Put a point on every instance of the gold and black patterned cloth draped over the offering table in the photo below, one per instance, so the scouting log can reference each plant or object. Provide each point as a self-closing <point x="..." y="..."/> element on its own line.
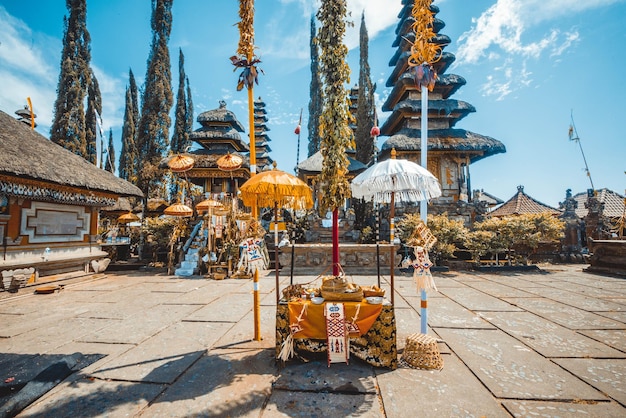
<point x="373" y="340"/>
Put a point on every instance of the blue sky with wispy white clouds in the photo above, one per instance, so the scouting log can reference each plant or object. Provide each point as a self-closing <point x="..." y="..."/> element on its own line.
<point x="529" y="65"/>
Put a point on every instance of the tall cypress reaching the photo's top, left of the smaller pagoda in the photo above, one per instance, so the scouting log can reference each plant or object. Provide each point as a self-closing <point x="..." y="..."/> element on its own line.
<point x="154" y="122"/>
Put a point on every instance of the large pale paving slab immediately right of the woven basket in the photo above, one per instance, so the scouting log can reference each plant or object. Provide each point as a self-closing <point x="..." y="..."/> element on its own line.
<point x="511" y="370"/>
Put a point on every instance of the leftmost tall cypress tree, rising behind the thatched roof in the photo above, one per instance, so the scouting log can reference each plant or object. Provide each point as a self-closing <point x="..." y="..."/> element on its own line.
<point x="68" y="125"/>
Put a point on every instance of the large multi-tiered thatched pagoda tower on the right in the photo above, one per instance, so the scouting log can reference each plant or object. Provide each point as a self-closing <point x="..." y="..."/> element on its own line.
<point x="450" y="150"/>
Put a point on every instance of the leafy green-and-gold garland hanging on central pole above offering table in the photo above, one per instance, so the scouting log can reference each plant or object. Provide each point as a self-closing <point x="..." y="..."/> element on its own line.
<point x="334" y="129"/>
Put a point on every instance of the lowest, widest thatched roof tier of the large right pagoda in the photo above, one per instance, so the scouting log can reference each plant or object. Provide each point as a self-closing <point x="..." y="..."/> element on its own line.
<point x="460" y="140"/>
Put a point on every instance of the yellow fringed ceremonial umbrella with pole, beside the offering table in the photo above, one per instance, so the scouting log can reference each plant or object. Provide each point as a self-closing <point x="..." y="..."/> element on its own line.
<point x="274" y="188"/>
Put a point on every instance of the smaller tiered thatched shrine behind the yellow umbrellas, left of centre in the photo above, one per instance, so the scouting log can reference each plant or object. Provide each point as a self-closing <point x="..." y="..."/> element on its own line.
<point x="218" y="136"/>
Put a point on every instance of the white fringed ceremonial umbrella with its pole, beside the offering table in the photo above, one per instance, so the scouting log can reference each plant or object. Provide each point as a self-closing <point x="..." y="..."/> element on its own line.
<point x="392" y="179"/>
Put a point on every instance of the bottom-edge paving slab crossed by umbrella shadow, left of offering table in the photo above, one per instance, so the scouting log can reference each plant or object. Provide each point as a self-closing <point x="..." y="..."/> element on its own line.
<point x="224" y="383"/>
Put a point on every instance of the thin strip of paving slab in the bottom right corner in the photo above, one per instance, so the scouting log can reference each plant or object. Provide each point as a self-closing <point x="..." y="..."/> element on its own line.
<point x="563" y="409"/>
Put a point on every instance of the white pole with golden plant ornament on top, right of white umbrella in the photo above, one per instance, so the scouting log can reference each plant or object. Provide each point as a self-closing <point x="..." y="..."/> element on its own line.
<point x="423" y="54"/>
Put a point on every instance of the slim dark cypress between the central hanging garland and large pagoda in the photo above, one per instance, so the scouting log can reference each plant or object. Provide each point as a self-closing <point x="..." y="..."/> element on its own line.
<point x="365" y="103"/>
